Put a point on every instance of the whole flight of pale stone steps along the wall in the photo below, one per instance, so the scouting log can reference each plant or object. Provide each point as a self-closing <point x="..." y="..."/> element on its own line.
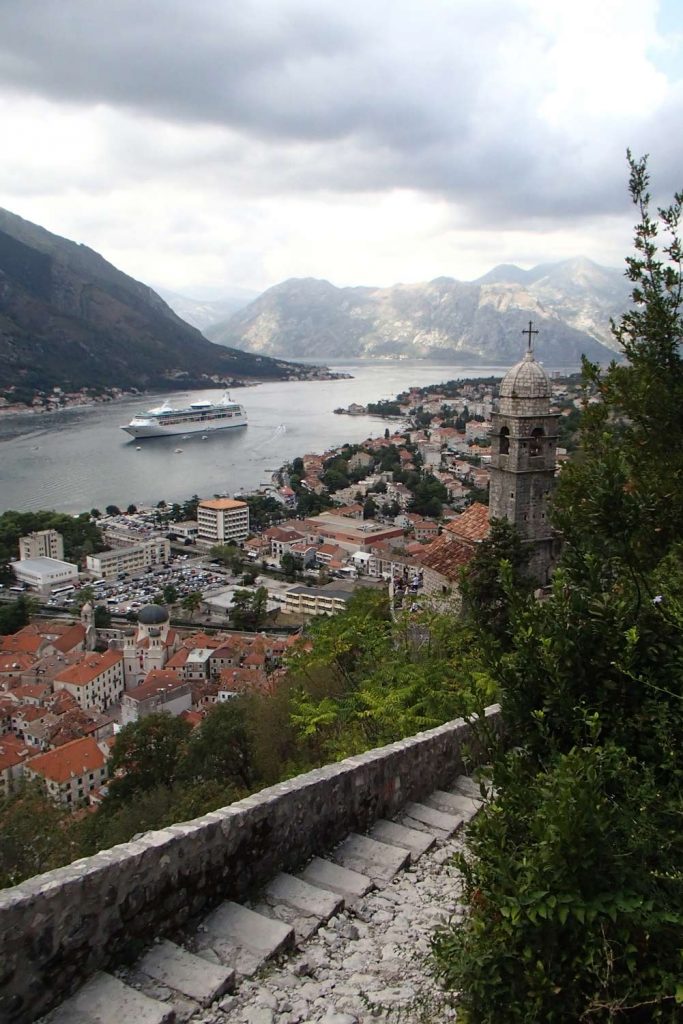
<point x="172" y="984"/>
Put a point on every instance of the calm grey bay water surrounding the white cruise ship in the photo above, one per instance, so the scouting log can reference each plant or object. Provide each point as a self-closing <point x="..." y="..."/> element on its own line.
<point x="79" y="459"/>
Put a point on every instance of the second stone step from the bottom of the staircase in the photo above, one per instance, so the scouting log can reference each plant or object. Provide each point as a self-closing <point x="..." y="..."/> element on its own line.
<point x="184" y="972"/>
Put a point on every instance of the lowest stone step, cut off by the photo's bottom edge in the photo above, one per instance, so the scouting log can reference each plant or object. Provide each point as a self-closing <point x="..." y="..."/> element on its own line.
<point x="105" y="1000"/>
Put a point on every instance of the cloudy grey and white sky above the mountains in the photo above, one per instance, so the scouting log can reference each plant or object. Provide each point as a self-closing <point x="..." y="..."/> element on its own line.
<point x="215" y="145"/>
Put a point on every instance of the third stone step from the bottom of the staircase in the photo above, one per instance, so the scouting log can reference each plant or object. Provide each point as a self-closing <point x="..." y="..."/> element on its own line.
<point x="243" y="938"/>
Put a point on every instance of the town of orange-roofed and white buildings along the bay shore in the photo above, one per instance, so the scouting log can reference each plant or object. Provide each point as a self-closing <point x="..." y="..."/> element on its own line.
<point x="406" y="511"/>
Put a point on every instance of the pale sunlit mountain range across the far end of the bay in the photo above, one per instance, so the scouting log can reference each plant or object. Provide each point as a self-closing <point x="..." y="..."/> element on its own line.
<point x="444" y="321"/>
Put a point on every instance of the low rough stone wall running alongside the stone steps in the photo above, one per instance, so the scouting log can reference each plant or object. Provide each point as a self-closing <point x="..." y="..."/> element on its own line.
<point x="59" y="928"/>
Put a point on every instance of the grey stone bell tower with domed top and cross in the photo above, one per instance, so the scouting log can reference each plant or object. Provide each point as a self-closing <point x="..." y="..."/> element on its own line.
<point x="524" y="442"/>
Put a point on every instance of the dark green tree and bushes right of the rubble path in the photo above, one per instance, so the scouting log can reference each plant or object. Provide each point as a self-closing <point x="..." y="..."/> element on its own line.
<point x="573" y="881"/>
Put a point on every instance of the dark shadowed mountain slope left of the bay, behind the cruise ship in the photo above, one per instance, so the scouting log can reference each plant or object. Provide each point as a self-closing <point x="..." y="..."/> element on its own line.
<point x="71" y="320"/>
